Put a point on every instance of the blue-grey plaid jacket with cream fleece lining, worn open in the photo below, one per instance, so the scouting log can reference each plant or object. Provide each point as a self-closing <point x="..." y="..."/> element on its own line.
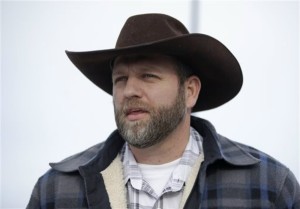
<point x="232" y="175"/>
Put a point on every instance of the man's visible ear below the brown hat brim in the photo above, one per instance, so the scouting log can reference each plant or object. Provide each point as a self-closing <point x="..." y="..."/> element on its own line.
<point x="193" y="87"/>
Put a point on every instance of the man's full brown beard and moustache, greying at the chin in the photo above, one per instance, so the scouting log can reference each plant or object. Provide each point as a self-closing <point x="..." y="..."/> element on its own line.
<point x="161" y="122"/>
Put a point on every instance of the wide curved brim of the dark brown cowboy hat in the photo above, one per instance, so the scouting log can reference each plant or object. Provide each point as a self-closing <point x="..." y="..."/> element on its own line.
<point x="219" y="71"/>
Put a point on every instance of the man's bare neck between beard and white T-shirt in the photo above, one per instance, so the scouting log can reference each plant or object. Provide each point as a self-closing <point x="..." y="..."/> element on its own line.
<point x="169" y="149"/>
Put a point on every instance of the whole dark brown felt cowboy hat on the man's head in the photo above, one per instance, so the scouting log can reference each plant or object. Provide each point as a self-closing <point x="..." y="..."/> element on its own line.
<point x="219" y="71"/>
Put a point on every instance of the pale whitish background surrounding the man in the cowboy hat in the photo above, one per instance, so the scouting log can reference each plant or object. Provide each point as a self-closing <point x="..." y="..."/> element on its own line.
<point x="49" y="110"/>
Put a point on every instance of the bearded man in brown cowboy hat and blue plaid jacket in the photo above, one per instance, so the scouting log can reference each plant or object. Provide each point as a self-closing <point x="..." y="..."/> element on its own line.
<point x="160" y="156"/>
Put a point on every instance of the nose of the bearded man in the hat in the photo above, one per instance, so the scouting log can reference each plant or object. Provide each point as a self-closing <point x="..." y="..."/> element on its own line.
<point x="132" y="88"/>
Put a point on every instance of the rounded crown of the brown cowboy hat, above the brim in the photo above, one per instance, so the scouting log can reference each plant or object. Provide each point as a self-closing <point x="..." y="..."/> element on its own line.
<point x="147" y="28"/>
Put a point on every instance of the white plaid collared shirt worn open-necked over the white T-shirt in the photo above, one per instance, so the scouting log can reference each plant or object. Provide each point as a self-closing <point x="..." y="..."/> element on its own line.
<point x="138" y="189"/>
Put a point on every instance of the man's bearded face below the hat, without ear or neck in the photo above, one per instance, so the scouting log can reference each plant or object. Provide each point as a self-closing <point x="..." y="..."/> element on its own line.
<point x="149" y="103"/>
